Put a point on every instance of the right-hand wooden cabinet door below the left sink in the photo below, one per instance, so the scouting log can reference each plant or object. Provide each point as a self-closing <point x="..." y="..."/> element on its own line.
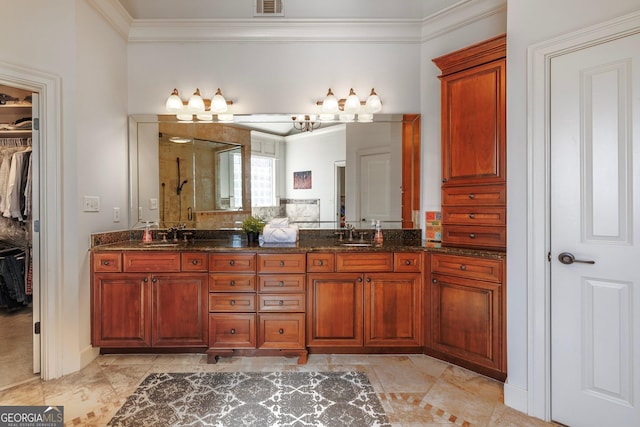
<point x="180" y="310"/>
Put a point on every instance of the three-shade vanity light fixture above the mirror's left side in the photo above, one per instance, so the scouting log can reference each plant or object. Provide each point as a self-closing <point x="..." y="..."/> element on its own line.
<point x="202" y="108"/>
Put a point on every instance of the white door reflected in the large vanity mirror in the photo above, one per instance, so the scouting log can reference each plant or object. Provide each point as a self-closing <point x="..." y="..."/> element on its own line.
<point x="375" y="187"/>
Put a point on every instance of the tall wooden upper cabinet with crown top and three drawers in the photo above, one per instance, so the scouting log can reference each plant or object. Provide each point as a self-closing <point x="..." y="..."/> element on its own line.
<point x="473" y="98"/>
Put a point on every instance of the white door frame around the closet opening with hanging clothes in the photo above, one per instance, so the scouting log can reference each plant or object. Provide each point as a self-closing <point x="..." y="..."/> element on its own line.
<point x="47" y="262"/>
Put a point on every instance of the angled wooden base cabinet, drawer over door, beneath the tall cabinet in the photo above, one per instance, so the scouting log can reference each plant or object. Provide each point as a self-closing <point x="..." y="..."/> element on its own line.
<point x="466" y="313"/>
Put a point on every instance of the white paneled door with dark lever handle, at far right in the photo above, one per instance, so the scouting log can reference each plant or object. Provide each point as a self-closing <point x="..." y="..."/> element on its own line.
<point x="595" y="217"/>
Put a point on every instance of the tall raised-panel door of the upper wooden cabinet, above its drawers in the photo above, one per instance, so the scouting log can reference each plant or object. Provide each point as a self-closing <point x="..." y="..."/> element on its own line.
<point x="473" y="125"/>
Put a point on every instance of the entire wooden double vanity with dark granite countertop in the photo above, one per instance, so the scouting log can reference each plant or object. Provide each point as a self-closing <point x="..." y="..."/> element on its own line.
<point x="216" y="293"/>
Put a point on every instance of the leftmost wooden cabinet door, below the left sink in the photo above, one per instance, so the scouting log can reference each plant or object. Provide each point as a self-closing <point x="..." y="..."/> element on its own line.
<point x="121" y="311"/>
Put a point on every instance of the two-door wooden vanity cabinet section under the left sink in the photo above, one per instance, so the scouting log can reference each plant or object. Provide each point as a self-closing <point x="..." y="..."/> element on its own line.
<point x="148" y="300"/>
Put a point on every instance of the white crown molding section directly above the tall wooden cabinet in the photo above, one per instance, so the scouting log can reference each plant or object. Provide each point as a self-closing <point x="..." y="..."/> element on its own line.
<point x="460" y="15"/>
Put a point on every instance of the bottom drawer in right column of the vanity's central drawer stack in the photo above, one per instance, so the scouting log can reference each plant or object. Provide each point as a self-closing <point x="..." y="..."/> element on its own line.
<point x="281" y="331"/>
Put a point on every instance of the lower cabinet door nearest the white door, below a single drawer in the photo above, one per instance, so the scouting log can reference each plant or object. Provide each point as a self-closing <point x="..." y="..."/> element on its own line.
<point x="468" y="320"/>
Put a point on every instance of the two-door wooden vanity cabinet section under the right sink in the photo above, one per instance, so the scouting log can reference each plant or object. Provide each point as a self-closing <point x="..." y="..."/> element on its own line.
<point x="371" y="300"/>
